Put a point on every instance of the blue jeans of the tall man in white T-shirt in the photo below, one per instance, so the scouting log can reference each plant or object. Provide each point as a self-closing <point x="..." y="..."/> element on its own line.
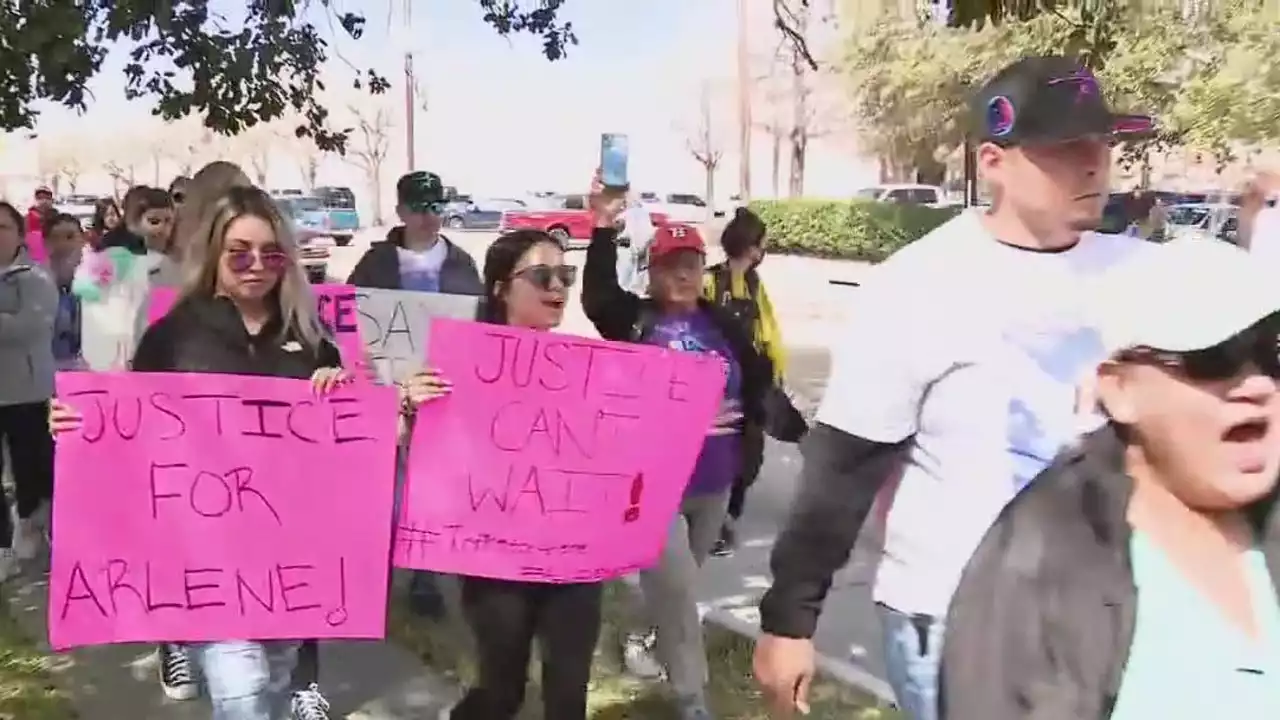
<point x="913" y="650"/>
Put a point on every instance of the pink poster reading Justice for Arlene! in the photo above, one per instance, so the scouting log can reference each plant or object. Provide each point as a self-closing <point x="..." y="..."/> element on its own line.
<point x="207" y="508"/>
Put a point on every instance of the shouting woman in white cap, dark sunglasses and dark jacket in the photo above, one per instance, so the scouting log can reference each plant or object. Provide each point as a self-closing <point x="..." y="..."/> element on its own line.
<point x="1137" y="576"/>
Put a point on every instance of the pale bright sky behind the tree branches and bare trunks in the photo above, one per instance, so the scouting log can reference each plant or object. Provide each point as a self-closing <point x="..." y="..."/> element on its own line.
<point x="502" y="120"/>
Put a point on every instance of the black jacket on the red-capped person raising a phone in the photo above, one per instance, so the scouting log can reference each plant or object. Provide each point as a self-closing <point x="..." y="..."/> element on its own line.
<point x="623" y="316"/>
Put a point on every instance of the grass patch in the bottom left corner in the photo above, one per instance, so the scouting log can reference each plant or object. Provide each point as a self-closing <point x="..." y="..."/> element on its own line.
<point x="28" y="690"/>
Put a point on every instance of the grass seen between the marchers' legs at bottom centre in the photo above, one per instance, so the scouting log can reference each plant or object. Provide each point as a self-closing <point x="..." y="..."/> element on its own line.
<point x="615" y="695"/>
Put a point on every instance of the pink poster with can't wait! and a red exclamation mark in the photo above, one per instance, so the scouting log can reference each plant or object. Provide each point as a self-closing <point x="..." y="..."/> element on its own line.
<point x="556" y="458"/>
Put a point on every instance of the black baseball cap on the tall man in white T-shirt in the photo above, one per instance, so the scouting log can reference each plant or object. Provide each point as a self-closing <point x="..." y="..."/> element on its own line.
<point x="1049" y="99"/>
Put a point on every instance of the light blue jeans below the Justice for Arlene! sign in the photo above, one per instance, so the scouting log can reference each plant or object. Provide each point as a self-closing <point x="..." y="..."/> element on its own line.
<point x="248" y="680"/>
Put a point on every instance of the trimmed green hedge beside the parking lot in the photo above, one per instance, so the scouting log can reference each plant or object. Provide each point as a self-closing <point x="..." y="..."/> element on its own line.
<point x="849" y="230"/>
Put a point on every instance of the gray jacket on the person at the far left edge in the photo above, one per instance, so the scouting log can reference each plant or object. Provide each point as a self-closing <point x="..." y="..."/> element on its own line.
<point x="29" y="307"/>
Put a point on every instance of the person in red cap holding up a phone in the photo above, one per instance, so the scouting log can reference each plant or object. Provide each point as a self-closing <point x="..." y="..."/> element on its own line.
<point x="678" y="316"/>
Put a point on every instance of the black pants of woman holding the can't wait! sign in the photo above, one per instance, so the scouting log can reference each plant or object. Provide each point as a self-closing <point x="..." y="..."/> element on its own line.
<point x="505" y="618"/>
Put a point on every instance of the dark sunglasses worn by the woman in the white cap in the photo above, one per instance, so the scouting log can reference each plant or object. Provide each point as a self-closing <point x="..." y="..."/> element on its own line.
<point x="1226" y="361"/>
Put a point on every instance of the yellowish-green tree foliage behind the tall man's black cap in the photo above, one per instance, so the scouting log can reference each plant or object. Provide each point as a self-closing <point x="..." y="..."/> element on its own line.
<point x="1213" y="85"/>
